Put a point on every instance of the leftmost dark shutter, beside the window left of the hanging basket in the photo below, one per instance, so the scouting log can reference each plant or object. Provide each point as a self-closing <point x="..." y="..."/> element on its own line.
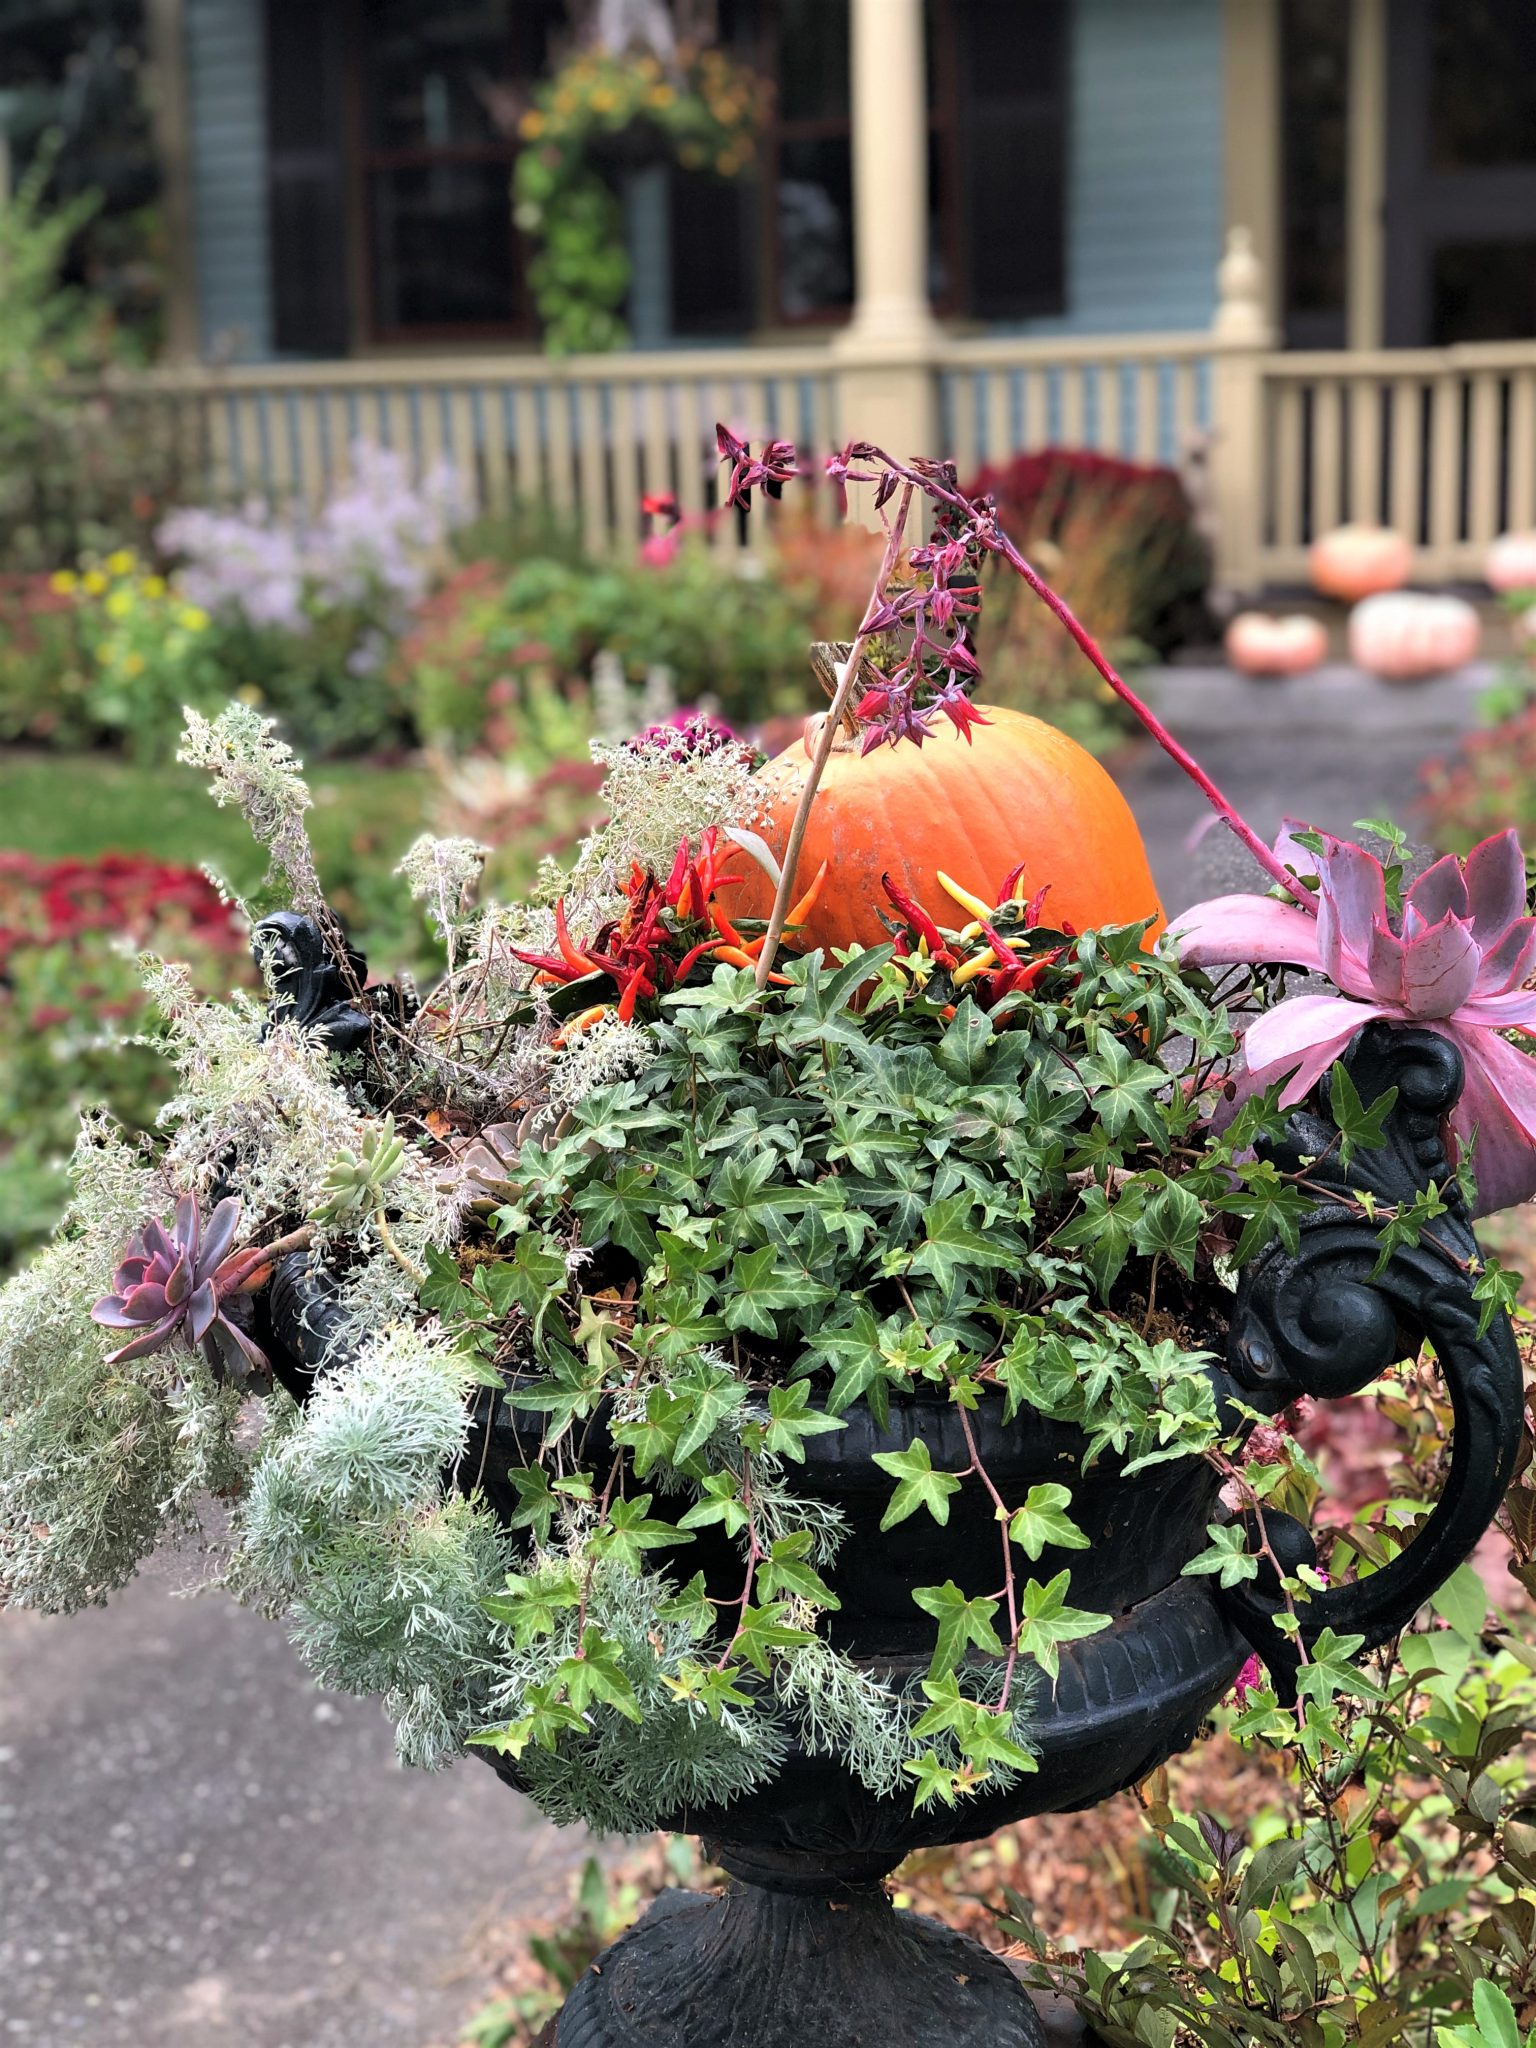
<point x="306" y="157"/>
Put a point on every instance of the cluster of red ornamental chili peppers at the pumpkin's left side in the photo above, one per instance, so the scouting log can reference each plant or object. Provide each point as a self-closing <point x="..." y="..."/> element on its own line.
<point x="665" y="931"/>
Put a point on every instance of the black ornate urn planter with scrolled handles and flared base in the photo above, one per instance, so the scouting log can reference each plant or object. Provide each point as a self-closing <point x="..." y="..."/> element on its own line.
<point x="804" y="1949"/>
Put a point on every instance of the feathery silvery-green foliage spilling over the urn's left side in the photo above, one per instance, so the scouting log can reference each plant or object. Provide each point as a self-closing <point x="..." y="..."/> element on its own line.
<point x="343" y="1519"/>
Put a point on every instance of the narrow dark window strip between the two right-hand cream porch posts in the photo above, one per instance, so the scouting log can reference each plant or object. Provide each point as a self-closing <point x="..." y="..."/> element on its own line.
<point x="1314" y="99"/>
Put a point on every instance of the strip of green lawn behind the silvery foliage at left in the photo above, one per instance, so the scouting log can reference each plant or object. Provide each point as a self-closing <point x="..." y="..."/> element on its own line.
<point x="91" y="804"/>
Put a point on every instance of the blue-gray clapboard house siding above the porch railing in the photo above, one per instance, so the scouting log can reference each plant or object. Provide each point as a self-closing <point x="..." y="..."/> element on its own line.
<point x="1144" y="181"/>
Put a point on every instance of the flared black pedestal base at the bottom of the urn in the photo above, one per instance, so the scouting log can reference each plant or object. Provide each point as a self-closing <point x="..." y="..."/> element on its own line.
<point x="796" y="1969"/>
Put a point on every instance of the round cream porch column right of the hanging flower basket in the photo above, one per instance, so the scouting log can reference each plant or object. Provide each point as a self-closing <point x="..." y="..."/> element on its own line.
<point x="888" y="378"/>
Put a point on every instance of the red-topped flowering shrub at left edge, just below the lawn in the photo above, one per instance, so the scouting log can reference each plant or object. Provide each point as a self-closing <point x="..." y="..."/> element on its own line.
<point x="75" y="1015"/>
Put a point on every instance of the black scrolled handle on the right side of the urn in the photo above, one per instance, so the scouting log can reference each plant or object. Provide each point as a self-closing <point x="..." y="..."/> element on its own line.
<point x="1322" y="1322"/>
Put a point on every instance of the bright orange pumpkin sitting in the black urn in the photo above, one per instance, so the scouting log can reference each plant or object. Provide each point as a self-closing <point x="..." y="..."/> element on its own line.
<point x="1019" y="792"/>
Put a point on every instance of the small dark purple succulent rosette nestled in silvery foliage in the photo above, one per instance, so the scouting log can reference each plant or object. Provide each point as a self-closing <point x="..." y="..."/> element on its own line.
<point x="187" y="1281"/>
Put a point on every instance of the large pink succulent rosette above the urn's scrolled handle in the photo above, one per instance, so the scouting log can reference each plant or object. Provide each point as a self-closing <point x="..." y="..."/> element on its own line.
<point x="1457" y="964"/>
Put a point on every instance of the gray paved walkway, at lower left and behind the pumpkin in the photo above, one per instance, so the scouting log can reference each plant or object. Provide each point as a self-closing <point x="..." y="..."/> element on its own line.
<point x="200" y="1850"/>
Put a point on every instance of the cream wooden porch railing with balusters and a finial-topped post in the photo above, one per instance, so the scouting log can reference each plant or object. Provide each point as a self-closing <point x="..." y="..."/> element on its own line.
<point x="1437" y="443"/>
